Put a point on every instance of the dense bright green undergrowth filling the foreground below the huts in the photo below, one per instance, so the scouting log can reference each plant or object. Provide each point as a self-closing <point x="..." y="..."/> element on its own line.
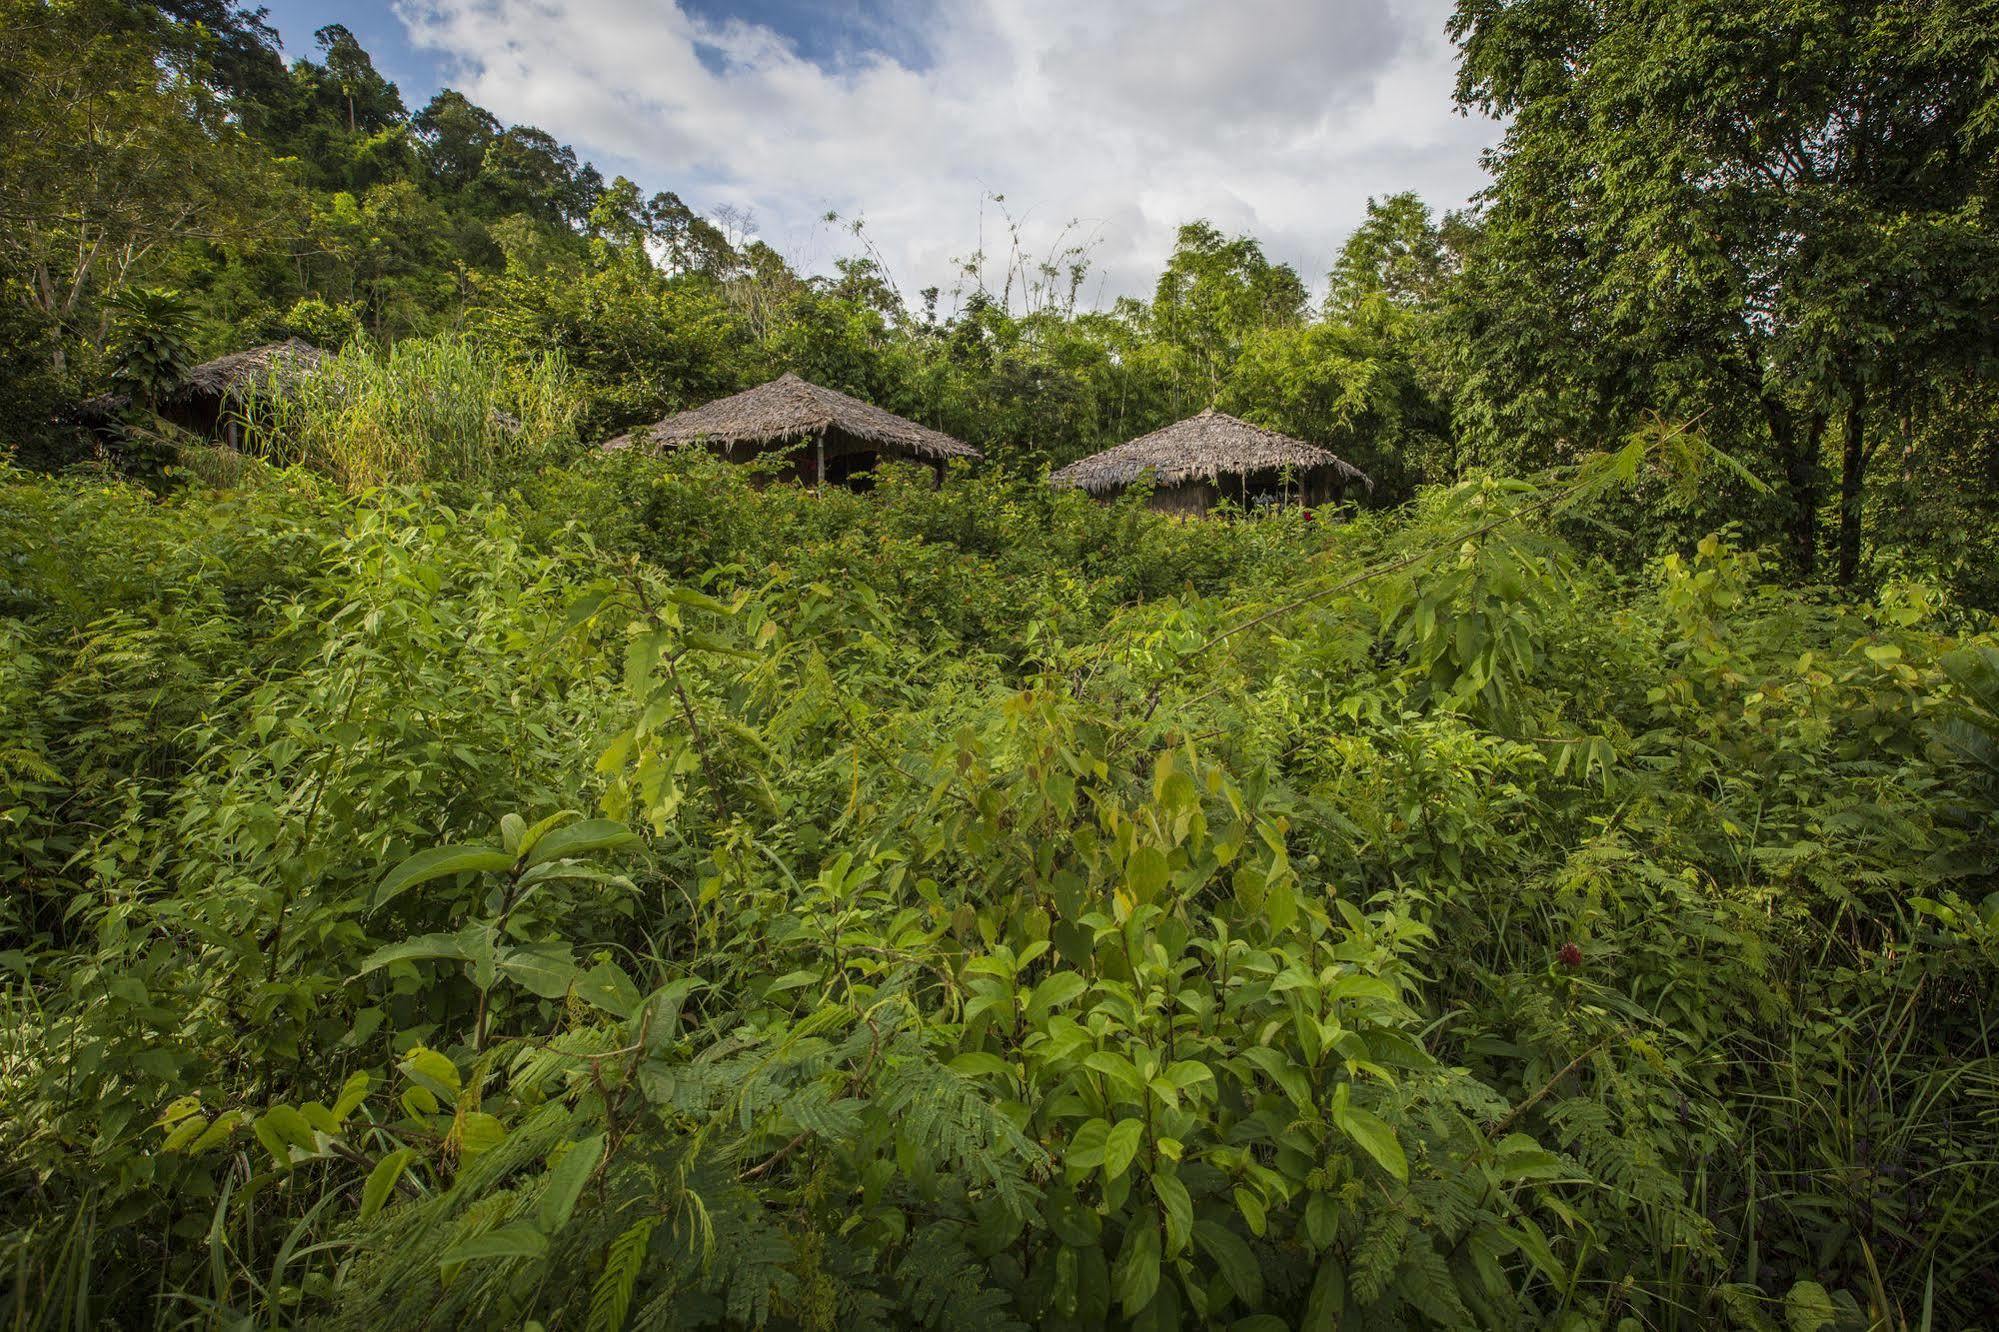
<point x="639" y="899"/>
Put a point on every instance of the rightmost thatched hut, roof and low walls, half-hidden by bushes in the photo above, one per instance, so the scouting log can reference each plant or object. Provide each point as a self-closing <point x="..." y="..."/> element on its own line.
<point x="1216" y="457"/>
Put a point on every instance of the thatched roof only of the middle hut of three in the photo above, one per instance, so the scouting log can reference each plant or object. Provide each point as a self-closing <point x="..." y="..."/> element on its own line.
<point x="791" y="409"/>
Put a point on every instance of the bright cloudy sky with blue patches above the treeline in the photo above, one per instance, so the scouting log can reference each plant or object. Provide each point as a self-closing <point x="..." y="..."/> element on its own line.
<point x="1126" y="117"/>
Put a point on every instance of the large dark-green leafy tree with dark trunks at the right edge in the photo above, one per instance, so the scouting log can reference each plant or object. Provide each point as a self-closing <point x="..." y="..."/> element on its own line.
<point x="1770" y="213"/>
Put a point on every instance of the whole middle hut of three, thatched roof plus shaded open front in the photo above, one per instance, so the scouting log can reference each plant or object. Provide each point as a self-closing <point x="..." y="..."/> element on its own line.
<point x="847" y="435"/>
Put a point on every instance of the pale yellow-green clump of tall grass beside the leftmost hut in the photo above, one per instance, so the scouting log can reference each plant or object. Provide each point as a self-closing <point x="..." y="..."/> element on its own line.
<point x="423" y="411"/>
